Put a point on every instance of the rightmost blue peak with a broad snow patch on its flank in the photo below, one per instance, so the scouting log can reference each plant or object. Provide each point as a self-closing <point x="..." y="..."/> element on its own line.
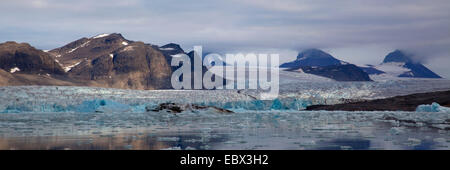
<point x="398" y="64"/>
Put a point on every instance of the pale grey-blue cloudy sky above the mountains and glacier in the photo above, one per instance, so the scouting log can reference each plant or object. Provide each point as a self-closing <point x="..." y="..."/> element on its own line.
<point x="357" y="31"/>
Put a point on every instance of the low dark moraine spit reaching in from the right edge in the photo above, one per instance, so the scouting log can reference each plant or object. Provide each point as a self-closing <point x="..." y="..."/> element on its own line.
<point x="398" y="103"/>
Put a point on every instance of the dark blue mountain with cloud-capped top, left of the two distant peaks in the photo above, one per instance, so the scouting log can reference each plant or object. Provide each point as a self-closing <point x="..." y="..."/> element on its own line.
<point x="318" y="62"/>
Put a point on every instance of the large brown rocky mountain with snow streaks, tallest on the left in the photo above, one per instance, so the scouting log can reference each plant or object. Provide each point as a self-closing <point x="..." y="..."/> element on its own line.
<point x="113" y="61"/>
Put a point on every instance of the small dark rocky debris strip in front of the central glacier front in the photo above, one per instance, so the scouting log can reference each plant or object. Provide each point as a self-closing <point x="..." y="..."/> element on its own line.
<point x="178" y="108"/>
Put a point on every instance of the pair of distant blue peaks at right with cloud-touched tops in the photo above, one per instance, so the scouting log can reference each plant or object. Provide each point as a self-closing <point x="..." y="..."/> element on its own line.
<point x="395" y="64"/>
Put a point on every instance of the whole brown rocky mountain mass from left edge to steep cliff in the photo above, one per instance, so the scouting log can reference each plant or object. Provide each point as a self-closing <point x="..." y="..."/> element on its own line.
<point x="106" y="60"/>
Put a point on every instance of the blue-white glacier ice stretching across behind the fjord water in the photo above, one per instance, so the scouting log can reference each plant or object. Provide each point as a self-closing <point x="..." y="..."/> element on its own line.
<point x="294" y="95"/>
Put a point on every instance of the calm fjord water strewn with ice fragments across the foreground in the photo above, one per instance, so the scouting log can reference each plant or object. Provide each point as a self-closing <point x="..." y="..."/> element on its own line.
<point x="256" y="131"/>
